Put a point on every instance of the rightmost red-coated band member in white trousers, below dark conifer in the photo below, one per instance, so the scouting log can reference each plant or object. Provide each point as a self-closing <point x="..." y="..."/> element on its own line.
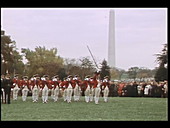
<point x="105" y="88"/>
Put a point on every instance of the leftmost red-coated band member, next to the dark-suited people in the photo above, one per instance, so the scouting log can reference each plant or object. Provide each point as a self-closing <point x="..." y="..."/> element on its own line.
<point x="16" y="87"/>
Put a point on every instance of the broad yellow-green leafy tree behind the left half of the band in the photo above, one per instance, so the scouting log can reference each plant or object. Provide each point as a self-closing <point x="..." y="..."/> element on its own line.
<point x="42" y="61"/>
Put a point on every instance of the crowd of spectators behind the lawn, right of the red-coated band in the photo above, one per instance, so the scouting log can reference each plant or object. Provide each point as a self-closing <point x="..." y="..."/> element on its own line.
<point x="141" y="89"/>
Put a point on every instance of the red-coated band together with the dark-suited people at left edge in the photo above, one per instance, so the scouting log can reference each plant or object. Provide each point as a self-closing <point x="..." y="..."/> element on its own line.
<point x="71" y="88"/>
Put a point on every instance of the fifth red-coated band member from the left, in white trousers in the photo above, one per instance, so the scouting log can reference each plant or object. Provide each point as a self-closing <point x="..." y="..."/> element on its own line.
<point x="56" y="87"/>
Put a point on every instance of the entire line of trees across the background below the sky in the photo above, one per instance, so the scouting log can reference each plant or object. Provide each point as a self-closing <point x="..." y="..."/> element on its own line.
<point x="47" y="61"/>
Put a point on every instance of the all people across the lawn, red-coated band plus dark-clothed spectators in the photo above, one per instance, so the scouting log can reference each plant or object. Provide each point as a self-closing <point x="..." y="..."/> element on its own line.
<point x="72" y="88"/>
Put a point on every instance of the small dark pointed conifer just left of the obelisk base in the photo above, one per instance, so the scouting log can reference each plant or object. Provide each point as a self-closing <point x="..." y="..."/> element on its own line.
<point x="105" y="69"/>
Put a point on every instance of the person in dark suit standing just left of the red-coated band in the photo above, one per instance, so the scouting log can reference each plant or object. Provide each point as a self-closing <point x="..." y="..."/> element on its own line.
<point x="7" y="88"/>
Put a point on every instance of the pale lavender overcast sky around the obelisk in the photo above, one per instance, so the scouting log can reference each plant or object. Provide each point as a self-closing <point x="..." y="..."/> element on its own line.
<point x="139" y="32"/>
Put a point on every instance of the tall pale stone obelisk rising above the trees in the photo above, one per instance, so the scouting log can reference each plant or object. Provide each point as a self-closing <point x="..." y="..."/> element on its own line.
<point x="111" y="46"/>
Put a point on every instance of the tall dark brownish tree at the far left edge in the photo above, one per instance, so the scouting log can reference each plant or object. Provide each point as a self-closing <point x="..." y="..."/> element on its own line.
<point x="11" y="60"/>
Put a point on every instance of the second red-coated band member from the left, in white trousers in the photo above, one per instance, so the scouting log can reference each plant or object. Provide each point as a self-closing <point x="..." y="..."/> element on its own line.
<point x="25" y="88"/>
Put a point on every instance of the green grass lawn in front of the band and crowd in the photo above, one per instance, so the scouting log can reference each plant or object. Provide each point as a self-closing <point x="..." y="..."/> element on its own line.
<point x="117" y="109"/>
